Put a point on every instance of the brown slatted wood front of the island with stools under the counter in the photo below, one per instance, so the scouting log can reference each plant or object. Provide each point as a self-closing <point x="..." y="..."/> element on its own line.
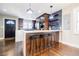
<point x="37" y="44"/>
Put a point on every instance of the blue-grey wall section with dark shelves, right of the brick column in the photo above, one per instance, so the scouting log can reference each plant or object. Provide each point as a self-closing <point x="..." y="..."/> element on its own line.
<point x="55" y="21"/>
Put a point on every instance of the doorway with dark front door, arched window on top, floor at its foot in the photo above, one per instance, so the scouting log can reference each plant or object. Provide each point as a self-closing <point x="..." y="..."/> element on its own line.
<point x="10" y="29"/>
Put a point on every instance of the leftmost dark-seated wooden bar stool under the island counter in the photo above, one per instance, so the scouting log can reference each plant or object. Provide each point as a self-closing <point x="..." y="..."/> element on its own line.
<point x="33" y="43"/>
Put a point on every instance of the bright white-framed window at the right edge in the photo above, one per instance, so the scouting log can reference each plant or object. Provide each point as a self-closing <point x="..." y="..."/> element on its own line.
<point x="75" y="18"/>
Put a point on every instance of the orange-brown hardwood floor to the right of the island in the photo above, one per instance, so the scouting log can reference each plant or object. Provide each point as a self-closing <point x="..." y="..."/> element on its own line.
<point x="61" y="50"/>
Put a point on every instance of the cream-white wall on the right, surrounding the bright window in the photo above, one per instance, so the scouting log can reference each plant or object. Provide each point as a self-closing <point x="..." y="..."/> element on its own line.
<point x="68" y="35"/>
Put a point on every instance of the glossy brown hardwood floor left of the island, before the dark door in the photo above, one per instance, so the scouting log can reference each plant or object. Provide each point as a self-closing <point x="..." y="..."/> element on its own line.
<point x="10" y="48"/>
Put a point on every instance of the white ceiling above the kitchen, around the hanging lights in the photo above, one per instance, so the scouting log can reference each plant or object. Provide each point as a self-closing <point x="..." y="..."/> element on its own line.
<point x="19" y="9"/>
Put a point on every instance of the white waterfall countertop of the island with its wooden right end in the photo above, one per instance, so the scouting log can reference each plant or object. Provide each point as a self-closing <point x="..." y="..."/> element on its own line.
<point x="55" y="37"/>
